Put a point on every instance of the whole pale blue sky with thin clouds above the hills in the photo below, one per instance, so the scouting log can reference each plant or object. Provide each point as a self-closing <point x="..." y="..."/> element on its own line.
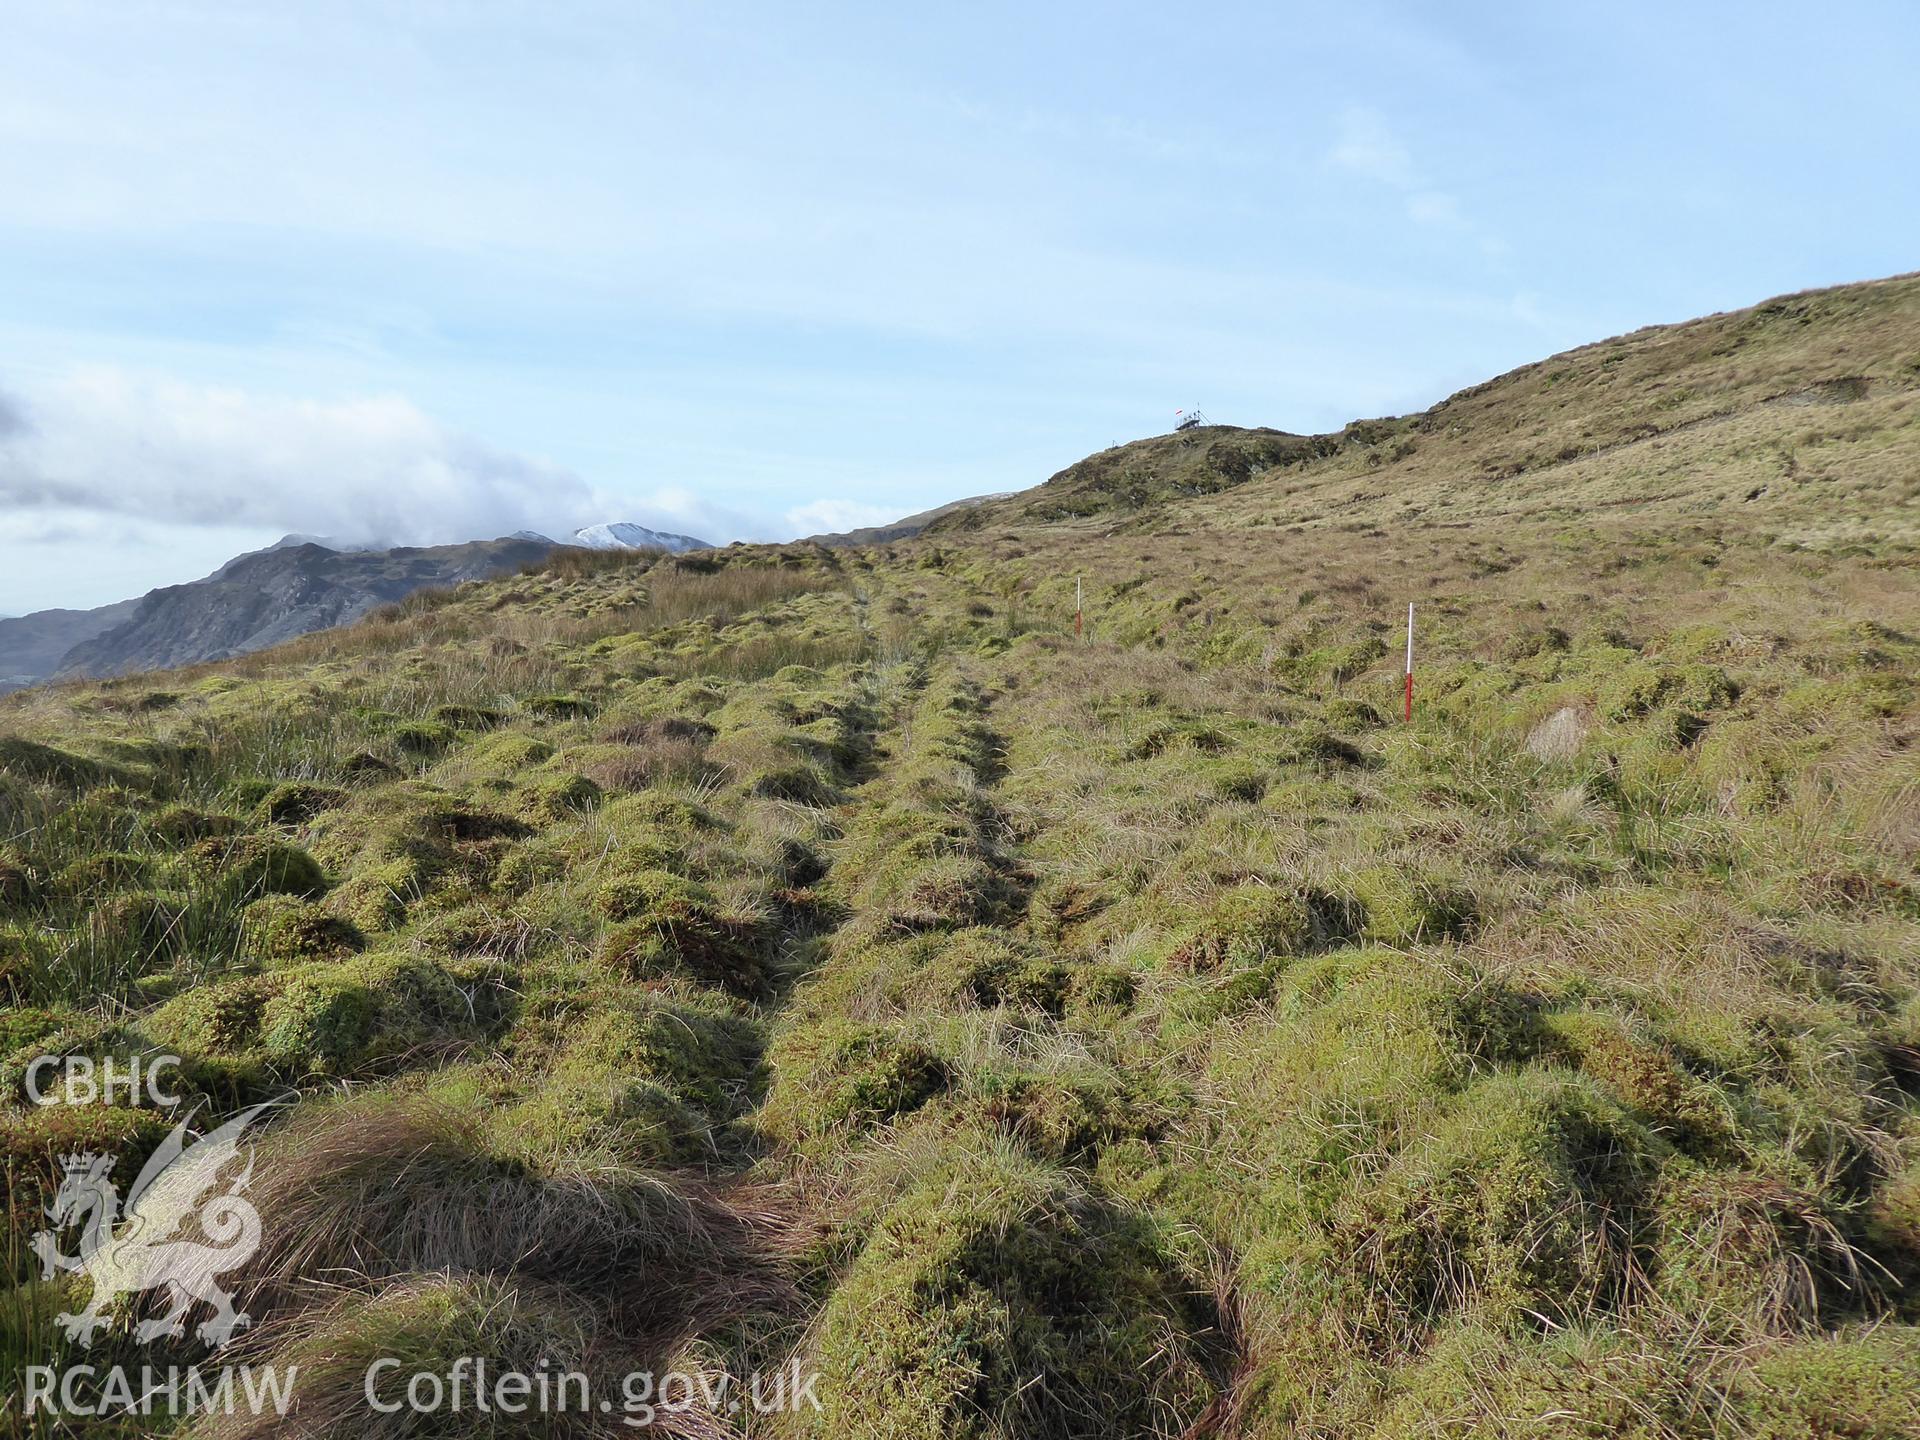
<point x="443" y="270"/>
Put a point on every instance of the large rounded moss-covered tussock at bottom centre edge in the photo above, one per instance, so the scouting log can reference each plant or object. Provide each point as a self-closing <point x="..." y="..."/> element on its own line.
<point x="997" y="1297"/>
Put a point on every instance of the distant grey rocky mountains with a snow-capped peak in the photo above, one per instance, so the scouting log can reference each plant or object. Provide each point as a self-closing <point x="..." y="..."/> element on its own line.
<point x="274" y="594"/>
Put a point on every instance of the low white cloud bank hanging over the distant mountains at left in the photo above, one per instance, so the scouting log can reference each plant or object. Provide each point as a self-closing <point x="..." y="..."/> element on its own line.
<point x="172" y="479"/>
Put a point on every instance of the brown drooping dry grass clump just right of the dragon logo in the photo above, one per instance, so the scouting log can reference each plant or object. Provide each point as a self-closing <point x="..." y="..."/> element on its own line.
<point x="381" y="1188"/>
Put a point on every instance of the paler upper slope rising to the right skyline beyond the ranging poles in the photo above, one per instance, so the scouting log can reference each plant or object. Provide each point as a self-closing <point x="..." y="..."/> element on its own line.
<point x="1802" y="416"/>
